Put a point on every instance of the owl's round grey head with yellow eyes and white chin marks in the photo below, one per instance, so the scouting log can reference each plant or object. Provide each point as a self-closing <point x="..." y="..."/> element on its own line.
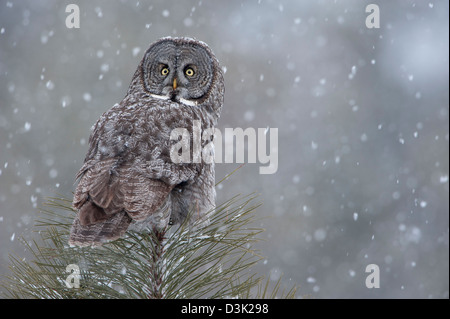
<point x="183" y="70"/>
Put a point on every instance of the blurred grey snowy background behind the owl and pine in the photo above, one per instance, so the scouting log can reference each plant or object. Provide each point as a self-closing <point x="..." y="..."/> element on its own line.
<point x="362" y="116"/>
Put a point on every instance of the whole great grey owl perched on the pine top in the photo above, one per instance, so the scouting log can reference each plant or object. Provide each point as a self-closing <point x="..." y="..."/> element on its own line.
<point x="128" y="180"/>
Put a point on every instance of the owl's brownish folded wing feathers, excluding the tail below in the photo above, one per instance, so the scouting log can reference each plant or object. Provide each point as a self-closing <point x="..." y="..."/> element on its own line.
<point x="106" y="188"/>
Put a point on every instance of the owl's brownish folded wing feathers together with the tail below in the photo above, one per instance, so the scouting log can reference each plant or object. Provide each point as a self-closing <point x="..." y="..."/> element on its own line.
<point x="108" y="198"/>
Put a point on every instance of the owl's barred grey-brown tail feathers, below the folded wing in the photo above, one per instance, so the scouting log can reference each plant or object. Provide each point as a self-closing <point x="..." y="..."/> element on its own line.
<point x="100" y="232"/>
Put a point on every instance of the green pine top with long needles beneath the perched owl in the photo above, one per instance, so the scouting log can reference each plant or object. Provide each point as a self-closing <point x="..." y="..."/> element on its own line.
<point x="182" y="261"/>
